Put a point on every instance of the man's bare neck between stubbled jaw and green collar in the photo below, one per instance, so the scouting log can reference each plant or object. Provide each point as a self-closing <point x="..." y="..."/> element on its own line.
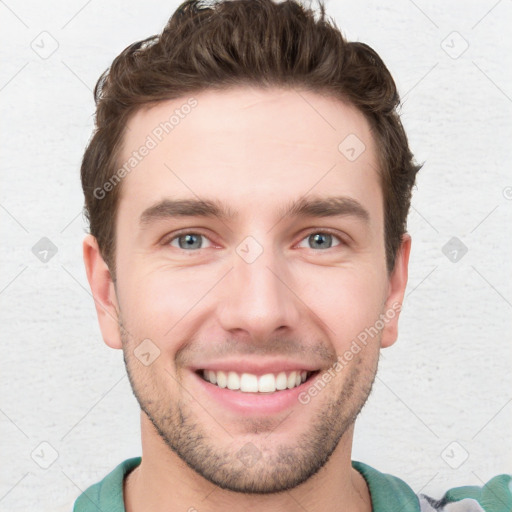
<point x="163" y="482"/>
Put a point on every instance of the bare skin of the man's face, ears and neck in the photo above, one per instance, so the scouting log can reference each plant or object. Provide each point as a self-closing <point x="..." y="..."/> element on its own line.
<point x="255" y="150"/>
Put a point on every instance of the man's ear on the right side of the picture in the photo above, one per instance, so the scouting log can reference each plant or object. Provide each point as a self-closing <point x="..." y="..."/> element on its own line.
<point x="396" y="291"/>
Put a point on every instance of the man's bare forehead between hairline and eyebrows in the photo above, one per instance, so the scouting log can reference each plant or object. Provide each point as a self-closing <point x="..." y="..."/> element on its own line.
<point x="250" y="148"/>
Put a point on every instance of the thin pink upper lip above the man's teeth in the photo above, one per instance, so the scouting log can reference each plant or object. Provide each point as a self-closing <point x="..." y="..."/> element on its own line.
<point x="256" y="367"/>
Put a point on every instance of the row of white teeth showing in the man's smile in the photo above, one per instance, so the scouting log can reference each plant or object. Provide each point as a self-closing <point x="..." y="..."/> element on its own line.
<point x="249" y="383"/>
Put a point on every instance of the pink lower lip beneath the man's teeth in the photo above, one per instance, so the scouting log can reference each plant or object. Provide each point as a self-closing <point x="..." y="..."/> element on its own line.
<point x="255" y="403"/>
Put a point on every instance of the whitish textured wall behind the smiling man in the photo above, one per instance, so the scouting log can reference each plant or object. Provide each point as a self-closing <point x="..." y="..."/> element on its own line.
<point x="447" y="380"/>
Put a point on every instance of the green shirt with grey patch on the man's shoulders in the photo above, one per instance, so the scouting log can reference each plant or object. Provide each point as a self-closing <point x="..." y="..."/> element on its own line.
<point x="388" y="493"/>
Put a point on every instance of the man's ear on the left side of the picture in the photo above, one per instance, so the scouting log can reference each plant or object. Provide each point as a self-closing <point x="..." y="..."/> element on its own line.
<point x="103" y="291"/>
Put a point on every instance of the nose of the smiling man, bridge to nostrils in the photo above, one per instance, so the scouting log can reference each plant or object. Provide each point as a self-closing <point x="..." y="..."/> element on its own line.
<point x="258" y="297"/>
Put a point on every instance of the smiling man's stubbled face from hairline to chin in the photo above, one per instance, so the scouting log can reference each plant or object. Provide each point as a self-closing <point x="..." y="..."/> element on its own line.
<point x="257" y="287"/>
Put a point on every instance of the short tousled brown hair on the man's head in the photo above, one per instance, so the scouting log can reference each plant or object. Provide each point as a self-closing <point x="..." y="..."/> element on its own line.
<point x="246" y="42"/>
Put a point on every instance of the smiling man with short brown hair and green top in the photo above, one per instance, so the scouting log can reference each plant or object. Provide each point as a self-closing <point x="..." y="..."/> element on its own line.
<point x="247" y="190"/>
